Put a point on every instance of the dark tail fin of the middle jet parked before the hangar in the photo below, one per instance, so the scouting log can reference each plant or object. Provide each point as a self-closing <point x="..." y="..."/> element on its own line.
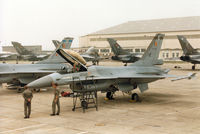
<point x="116" y="48"/>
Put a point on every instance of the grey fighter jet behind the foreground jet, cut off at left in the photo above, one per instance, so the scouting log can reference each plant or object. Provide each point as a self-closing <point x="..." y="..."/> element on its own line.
<point x="18" y="75"/>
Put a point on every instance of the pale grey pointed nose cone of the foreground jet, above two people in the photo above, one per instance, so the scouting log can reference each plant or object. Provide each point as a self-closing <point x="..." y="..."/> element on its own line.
<point x="45" y="81"/>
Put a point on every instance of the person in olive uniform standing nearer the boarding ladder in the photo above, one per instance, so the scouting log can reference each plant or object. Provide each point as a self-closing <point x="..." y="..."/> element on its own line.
<point x="55" y="100"/>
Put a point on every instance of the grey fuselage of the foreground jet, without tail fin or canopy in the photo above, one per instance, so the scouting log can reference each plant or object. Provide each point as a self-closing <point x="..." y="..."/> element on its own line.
<point x="103" y="78"/>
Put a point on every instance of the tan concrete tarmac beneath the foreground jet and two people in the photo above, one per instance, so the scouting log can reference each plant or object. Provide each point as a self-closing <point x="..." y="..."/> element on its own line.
<point x="166" y="108"/>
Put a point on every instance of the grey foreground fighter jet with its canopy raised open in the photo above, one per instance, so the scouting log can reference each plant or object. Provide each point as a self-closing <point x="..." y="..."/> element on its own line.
<point x="110" y="79"/>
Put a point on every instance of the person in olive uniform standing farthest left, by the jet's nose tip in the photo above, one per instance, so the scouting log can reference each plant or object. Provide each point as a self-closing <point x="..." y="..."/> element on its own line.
<point x="28" y="95"/>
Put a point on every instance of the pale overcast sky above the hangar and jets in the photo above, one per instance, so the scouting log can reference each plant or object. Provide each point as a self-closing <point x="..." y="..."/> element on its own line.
<point x="37" y="22"/>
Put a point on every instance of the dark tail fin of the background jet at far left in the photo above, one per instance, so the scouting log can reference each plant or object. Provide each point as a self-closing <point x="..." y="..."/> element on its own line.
<point x="20" y="49"/>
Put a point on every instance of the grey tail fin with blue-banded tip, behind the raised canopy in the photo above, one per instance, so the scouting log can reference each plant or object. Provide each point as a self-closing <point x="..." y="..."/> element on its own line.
<point x="54" y="57"/>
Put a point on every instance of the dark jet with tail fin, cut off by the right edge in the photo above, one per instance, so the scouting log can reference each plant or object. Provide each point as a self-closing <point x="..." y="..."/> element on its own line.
<point x="190" y="54"/>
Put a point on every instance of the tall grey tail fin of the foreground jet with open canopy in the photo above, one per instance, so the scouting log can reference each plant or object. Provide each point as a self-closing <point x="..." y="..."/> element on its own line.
<point x="151" y="55"/>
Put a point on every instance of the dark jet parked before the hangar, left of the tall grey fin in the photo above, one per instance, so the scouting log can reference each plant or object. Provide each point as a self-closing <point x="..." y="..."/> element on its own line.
<point x="125" y="56"/>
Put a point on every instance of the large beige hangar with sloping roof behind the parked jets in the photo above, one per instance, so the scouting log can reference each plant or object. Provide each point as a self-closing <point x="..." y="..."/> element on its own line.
<point x="135" y="36"/>
